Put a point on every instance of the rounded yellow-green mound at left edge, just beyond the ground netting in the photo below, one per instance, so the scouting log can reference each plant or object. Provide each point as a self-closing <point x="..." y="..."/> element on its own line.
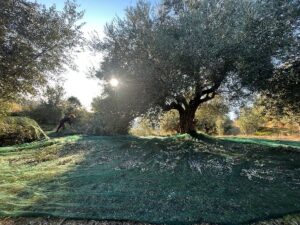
<point x="18" y="130"/>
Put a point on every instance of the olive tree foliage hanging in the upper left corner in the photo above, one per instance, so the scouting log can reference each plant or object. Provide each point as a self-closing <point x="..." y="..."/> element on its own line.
<point x="35" y="42"/>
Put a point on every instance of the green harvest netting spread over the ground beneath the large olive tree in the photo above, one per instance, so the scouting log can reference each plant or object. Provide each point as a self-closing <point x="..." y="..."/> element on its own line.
<point x="153" y="180"/>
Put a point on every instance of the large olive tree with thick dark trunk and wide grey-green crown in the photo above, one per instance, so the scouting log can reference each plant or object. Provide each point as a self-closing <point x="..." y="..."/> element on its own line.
<point x="184" y="53"/>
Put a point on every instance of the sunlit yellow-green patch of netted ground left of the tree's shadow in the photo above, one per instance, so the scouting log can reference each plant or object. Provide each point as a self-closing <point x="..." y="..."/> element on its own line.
<point x="25" y="169"/>
